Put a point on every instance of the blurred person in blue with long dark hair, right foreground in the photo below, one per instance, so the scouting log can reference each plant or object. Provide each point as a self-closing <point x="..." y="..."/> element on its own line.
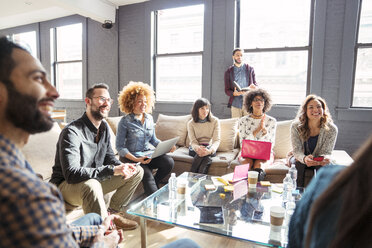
<point x="335" y="210"/>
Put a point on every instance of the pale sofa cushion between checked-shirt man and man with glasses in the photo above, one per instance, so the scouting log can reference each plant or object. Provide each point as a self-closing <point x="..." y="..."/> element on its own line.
<point x="40" y="151"/>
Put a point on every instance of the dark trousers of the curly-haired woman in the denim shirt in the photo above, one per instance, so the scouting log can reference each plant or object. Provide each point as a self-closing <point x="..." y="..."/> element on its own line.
<point x="164" y="165"/>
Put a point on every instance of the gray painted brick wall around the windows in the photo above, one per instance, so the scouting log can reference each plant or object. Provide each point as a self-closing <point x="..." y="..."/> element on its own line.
<point x="123" y="53"/>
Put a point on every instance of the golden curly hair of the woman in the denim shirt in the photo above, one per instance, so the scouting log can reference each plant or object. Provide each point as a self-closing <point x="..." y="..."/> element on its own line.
<point x="128" y="95"/>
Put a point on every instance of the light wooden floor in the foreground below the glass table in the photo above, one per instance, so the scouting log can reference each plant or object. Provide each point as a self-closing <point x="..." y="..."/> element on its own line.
<point x="159" y="234"/>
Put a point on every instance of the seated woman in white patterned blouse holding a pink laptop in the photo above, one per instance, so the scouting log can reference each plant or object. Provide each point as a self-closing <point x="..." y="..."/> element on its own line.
<point x="257" y="125"/>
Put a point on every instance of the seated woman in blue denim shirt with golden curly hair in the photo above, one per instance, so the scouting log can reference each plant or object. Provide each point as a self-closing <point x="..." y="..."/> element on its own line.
<point x="136" y="132"/>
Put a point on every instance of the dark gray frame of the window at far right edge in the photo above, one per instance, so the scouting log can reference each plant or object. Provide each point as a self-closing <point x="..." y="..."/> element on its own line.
<point x="345" y="110"/>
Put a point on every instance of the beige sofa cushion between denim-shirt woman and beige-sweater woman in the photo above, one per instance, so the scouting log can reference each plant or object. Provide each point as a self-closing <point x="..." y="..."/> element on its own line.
<point x="168" y="127"/>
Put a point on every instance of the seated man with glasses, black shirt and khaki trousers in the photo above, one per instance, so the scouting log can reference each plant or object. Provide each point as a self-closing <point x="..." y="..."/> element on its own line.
<point x="85" y="166"/>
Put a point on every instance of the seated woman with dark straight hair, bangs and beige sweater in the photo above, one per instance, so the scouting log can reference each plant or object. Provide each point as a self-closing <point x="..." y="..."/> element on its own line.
<point x="204" y="134"/>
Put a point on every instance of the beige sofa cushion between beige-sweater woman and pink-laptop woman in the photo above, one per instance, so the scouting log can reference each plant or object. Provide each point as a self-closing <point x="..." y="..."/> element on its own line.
<point x="229" y="130"/>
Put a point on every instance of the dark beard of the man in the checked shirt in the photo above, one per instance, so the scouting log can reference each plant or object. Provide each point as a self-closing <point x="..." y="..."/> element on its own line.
<point x="23" y="113"/>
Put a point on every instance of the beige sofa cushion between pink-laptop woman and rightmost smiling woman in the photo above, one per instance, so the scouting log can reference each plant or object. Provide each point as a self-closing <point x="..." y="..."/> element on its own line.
<point x="282" y="139"/>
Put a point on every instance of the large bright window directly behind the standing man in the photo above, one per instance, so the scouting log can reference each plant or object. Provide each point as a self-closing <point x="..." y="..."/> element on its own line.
<point x="276" y="38"/>
